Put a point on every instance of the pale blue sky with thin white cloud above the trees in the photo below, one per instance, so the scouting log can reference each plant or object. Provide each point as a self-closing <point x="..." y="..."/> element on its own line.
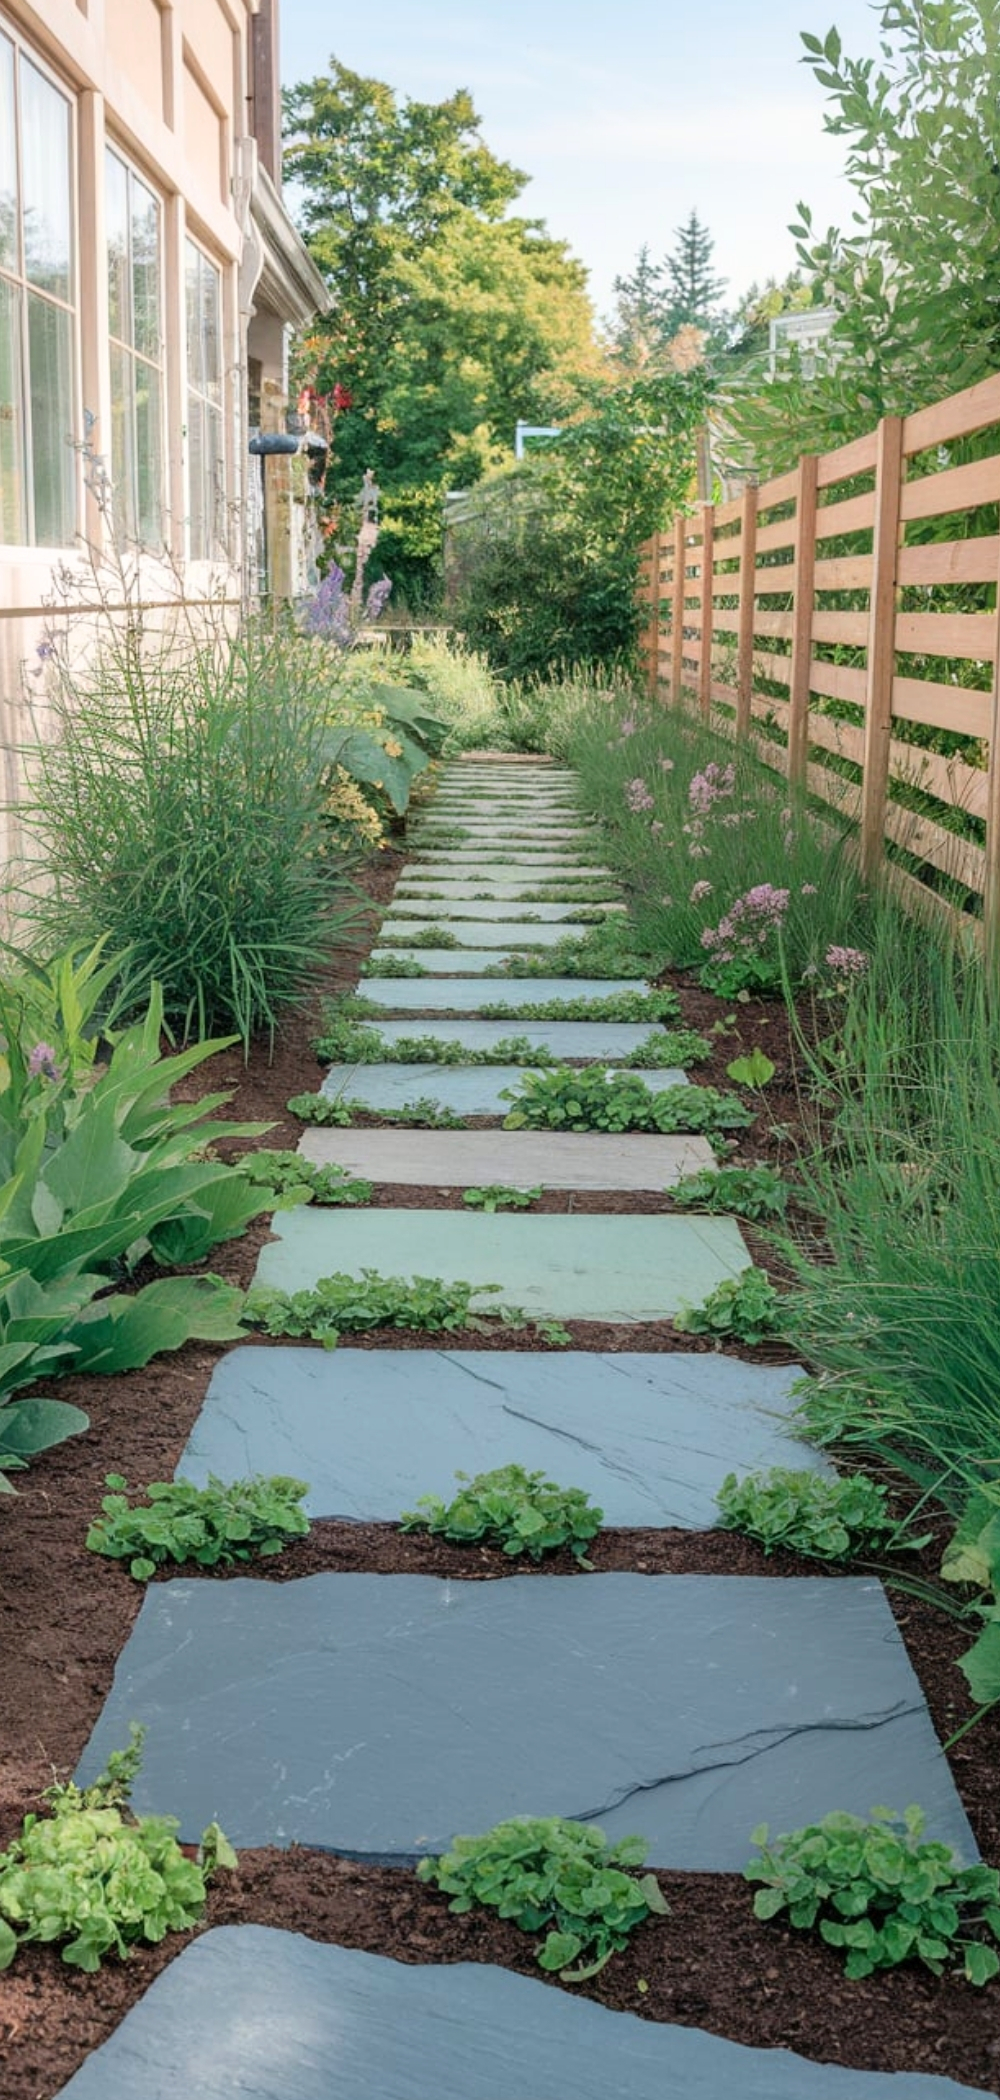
<point x="629" y="114"/>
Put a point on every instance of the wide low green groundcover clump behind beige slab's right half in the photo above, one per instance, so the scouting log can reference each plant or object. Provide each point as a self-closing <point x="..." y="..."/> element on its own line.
<point x="602" y="1099"/>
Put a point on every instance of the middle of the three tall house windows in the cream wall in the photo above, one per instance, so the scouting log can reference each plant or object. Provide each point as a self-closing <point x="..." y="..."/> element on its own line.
<point x="138" y="352"/>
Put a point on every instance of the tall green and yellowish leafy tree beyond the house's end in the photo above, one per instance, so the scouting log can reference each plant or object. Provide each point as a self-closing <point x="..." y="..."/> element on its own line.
<point x="449" y="318"/>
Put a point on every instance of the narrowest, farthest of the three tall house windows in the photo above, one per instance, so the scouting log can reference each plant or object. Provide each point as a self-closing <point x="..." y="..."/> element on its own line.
<point x="205" y="406"/>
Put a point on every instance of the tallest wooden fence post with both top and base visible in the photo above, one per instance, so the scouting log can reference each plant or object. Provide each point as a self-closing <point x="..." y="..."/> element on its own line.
<point x="881" y="644"/>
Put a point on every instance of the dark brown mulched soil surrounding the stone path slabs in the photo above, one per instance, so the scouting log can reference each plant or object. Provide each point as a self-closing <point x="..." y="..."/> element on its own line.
<point x="66" y="1616"/>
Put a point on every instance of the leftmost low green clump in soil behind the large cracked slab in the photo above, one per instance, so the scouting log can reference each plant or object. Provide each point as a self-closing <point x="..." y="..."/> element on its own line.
<point x="209" y="1526"/>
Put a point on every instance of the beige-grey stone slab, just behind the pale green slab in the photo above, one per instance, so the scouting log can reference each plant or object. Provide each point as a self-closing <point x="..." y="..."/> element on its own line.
<point x="509" y="1158"/>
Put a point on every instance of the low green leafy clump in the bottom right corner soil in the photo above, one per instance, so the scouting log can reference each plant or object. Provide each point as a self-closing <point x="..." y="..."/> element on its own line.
<point x="881" y="1895"/>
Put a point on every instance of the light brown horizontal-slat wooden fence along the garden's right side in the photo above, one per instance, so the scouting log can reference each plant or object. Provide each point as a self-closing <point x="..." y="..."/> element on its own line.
<point x="839" y="614"/>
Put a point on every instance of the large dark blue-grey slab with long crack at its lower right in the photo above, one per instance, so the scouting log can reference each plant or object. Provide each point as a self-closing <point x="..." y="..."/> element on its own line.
<point x="386" y="1715"/>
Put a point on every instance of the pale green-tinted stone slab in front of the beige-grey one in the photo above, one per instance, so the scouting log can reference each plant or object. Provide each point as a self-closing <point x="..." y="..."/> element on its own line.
<point x="608" y="1269"/>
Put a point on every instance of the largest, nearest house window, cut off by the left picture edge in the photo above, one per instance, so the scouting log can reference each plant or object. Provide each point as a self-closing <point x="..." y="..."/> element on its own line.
<point x="37" y="308"/>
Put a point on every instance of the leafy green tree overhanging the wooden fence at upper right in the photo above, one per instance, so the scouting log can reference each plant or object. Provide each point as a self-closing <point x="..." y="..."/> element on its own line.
<point x="917" y="285"/>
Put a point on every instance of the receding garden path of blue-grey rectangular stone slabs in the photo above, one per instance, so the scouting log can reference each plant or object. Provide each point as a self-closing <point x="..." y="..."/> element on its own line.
<point x="383" y="1715"/>
